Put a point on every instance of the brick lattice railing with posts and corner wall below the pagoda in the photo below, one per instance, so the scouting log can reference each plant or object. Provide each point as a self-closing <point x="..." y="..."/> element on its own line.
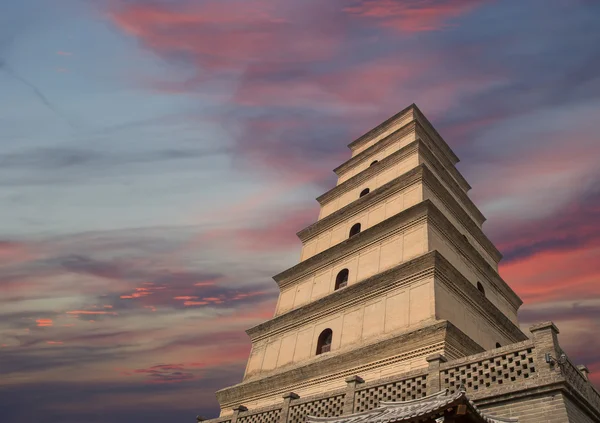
<point x="498" y="380"/>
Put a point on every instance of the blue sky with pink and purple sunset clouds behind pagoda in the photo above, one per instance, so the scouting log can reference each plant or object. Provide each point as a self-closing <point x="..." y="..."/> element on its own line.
<point x="158" y="157"/>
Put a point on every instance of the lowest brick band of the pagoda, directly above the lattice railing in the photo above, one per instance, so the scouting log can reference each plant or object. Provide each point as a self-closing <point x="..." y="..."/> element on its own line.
<point x="382" y="358"/>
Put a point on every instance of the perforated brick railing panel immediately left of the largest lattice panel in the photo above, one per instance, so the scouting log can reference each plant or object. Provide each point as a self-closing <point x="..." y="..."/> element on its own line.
<point x="402" y="390"/>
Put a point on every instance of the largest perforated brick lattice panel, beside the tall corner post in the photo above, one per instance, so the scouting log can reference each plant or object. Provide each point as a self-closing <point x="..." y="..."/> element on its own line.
<point x="505" y="368"/>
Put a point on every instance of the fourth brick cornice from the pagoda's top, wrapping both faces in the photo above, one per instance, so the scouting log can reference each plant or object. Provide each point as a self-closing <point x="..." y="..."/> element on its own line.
<point x="417" y="174"/>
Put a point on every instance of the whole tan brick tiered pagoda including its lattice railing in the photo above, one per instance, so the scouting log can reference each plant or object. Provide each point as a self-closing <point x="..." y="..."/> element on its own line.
<point x="396" y="311"/>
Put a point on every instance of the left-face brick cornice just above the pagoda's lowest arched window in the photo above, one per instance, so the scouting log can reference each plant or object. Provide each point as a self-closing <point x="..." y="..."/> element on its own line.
<point x="403" y="273"/>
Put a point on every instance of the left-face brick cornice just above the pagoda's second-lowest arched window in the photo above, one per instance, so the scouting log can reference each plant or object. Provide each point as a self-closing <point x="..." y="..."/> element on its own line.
<point x="409" y="217"/>
